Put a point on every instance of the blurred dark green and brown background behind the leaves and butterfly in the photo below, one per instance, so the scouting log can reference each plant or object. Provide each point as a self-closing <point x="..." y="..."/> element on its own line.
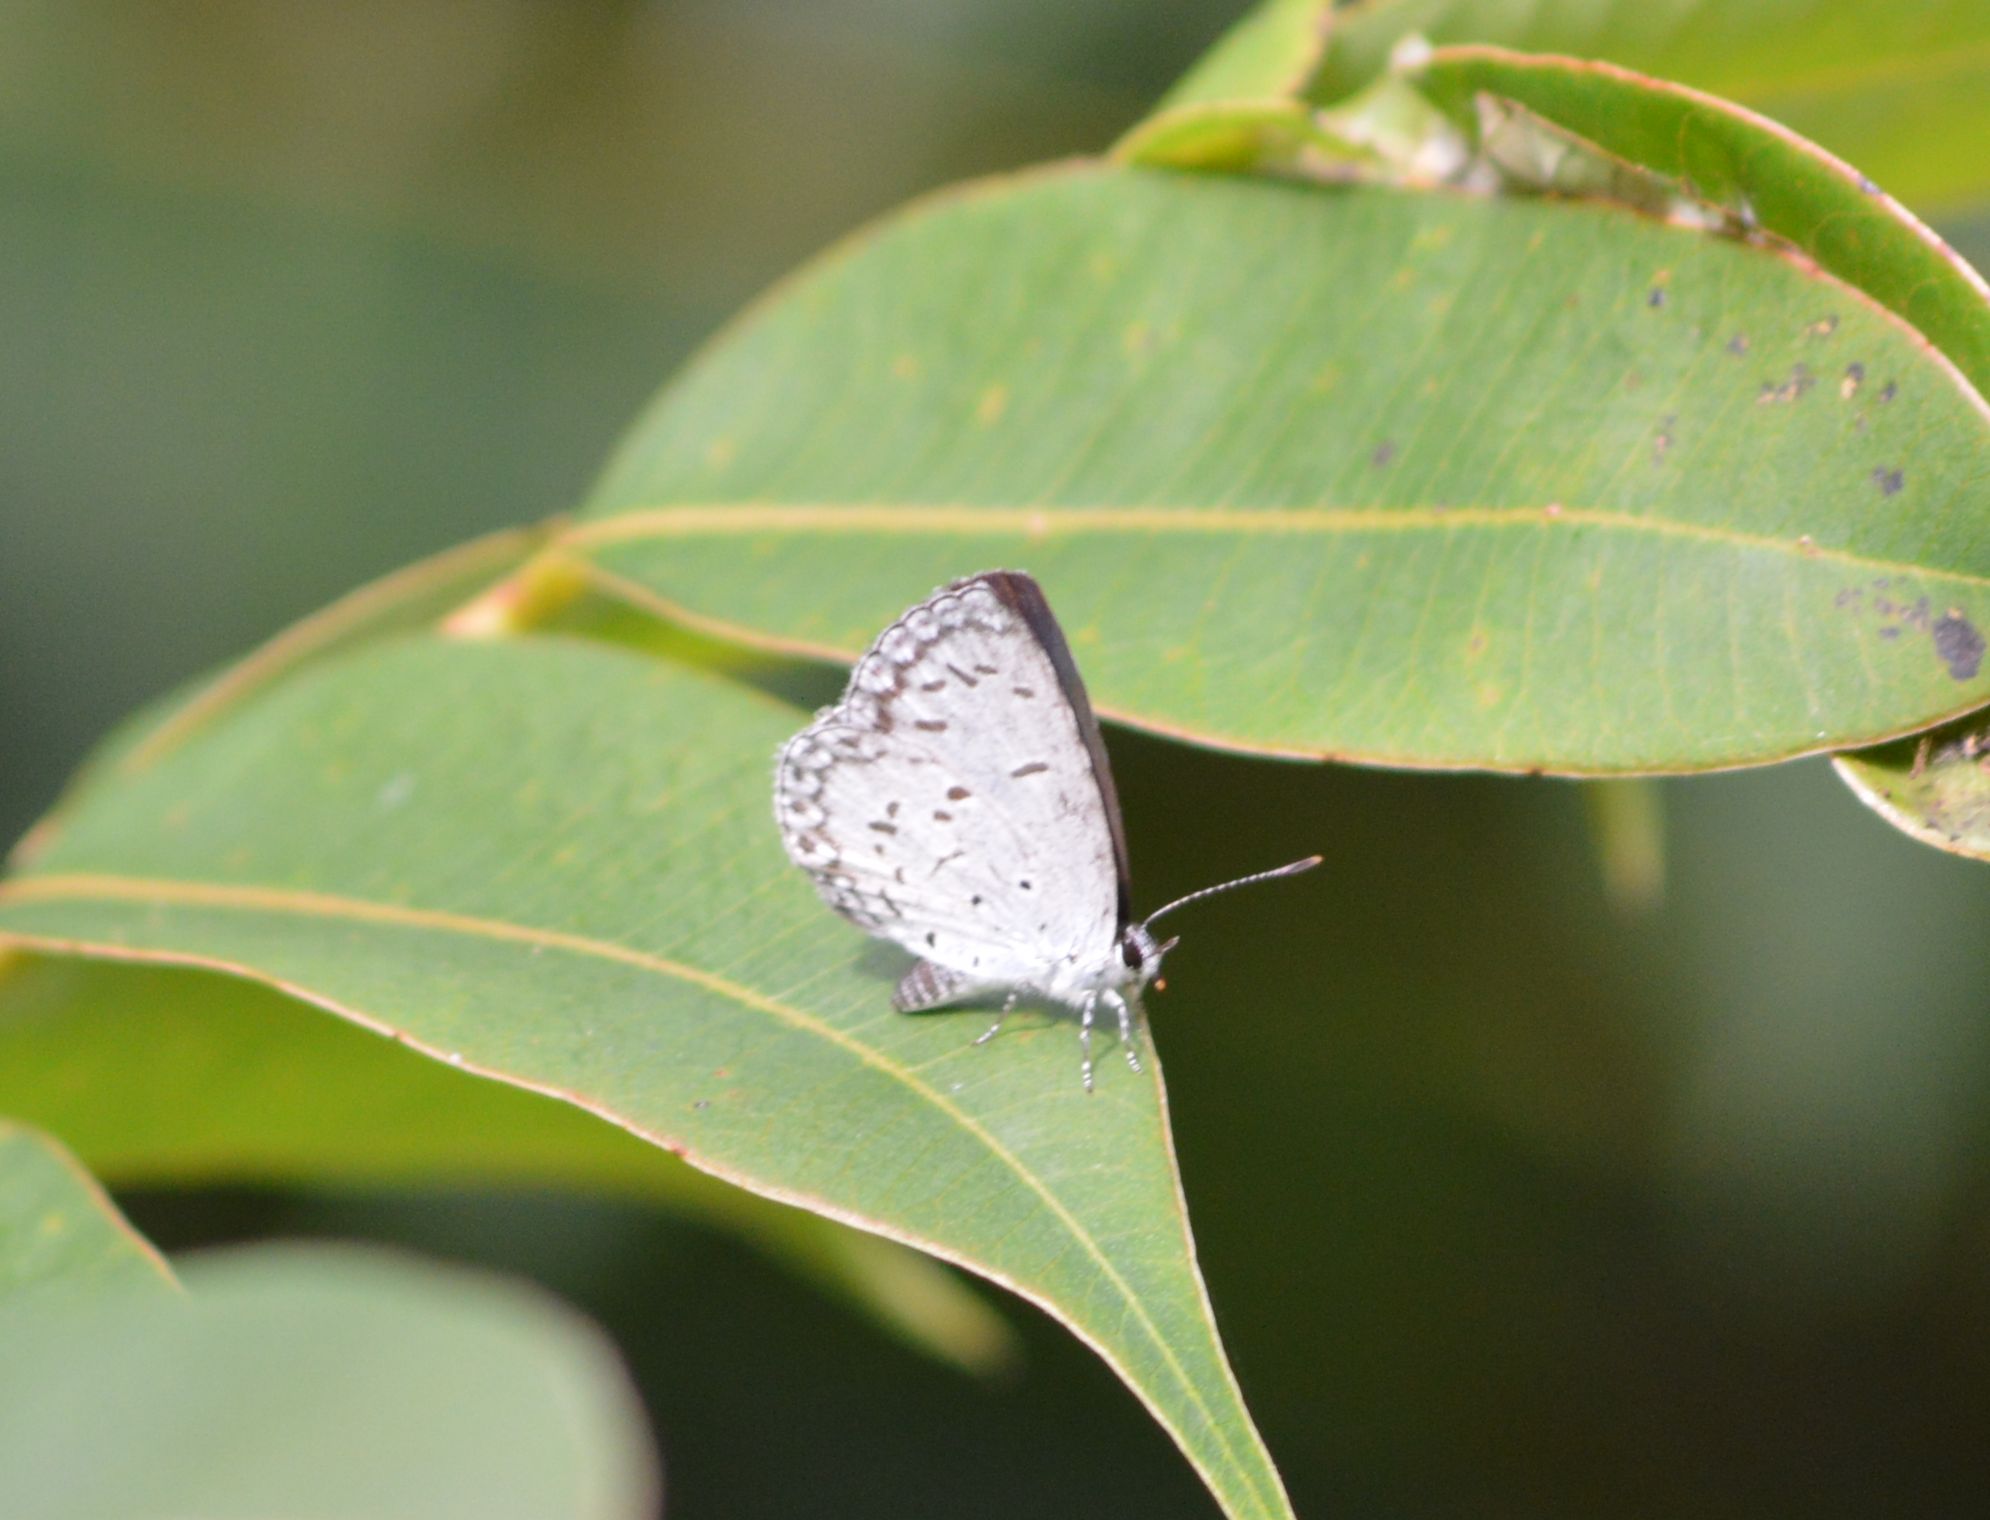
<point x="1511" y="1203"/>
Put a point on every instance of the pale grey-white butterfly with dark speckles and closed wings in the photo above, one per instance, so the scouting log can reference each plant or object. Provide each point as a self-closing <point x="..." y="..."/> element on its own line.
<point x="958" y="801"/>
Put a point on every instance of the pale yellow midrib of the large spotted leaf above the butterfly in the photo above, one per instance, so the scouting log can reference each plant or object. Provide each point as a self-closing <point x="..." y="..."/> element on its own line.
<point x="964" y="520"/>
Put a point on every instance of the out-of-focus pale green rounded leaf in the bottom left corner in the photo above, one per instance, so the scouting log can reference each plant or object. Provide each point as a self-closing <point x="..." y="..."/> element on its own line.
<point x="319" y="1386"/>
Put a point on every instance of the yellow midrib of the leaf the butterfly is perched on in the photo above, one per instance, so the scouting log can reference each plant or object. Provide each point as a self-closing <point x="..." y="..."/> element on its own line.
<point x="81" y="886"/>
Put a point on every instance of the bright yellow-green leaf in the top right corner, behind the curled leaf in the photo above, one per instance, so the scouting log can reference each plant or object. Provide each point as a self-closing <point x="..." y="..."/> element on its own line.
<point x="1897" y="87"/>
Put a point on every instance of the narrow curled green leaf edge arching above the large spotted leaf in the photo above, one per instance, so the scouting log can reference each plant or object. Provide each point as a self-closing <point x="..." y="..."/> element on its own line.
<point x="1758" y="172"/>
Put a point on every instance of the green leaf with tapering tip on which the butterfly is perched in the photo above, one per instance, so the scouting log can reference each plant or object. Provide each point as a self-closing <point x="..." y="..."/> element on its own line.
<point x="556" y="864"/>
